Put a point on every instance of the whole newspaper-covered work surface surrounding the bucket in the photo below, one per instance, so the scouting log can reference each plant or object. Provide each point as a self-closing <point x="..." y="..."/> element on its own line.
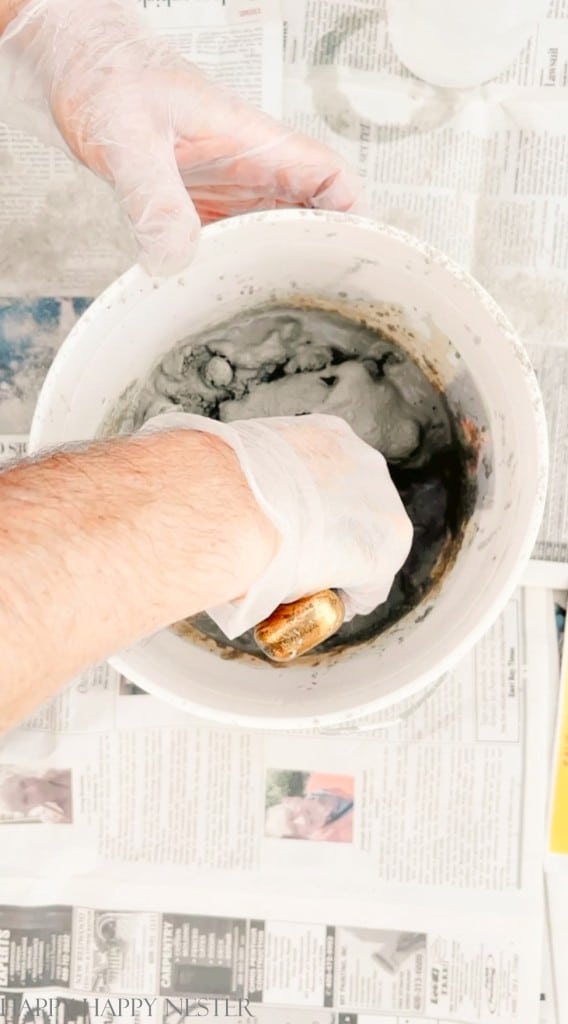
<point x="157" y="868"/>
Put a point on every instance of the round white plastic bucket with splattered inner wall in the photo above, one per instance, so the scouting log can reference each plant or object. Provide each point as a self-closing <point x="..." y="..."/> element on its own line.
<point x="450" y="325"/>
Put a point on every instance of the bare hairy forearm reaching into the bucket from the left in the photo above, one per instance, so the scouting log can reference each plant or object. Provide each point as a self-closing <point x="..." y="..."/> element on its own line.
<point x="103" y="546"/>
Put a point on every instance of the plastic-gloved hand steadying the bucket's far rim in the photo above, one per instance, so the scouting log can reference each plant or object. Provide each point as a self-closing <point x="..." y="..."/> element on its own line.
<point x="90" y="75"/>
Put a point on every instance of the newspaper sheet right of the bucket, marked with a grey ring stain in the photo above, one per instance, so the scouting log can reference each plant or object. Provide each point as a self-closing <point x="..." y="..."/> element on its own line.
<point x="480" y="174"/>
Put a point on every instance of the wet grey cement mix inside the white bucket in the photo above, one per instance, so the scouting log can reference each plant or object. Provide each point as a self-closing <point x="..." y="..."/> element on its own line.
<point x="285" y="362"/>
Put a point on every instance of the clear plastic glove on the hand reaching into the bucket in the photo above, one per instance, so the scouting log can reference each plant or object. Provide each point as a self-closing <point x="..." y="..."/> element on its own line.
<point x="341" y="520"/>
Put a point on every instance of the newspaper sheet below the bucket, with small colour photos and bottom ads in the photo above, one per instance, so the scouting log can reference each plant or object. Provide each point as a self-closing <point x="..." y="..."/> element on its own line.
<point x="324" y="878"/>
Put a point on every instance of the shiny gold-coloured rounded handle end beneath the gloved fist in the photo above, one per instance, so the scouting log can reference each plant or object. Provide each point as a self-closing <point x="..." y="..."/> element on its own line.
<point x="299" y="627"/>
